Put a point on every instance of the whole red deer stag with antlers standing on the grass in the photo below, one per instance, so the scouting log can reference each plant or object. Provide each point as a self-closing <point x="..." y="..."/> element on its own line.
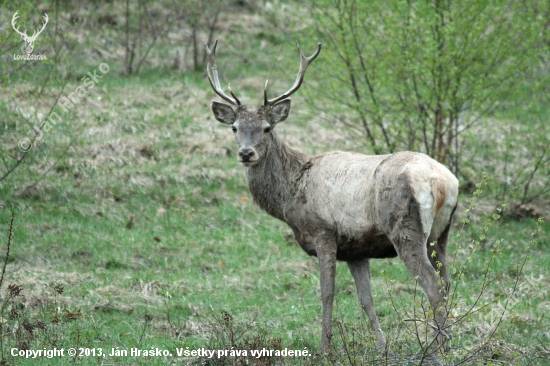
<point x="345" y="206"/>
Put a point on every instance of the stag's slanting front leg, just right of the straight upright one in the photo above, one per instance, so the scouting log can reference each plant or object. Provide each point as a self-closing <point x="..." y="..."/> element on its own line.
<point x="360" y="270"/>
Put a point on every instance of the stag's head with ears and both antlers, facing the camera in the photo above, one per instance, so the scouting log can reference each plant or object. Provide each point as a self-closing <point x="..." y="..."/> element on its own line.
<point x="253" y="128"/>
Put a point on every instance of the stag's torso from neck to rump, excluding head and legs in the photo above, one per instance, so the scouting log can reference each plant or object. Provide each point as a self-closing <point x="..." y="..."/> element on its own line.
<point x="353" y="197"/>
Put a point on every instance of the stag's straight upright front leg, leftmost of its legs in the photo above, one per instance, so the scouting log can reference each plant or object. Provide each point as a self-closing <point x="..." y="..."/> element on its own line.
<point x="326" y="254"/>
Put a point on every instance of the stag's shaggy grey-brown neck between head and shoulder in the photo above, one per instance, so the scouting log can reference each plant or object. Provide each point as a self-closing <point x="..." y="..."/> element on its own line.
<point x="272" y="181"/>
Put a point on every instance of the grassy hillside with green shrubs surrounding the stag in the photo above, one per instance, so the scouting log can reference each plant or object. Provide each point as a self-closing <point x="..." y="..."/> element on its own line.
<point x="133" y="224"/>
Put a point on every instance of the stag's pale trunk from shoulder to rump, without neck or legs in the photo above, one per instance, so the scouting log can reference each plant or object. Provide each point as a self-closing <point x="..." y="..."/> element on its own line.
<point x="361" y="199"/>
